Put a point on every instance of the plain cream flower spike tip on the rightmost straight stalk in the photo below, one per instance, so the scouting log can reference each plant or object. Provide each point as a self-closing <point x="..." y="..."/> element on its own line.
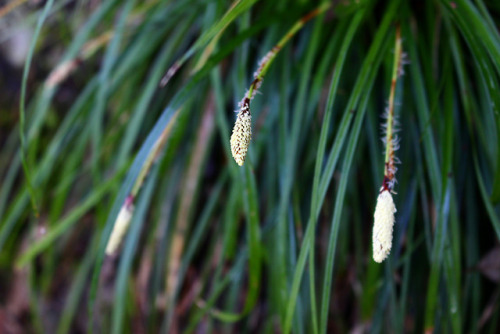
<point x="382" y="229"/>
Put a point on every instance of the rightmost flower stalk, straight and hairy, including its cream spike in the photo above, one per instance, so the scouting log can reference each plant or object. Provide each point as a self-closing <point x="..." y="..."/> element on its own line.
<point x="385" y="208"/>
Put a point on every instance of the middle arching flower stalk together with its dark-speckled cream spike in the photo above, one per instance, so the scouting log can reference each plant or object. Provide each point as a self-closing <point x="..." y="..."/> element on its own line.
<point x="242" y="130"/>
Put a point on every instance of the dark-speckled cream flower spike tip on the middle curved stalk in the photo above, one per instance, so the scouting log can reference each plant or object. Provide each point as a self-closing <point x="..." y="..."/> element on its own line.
<point x="242" y="133"/>
